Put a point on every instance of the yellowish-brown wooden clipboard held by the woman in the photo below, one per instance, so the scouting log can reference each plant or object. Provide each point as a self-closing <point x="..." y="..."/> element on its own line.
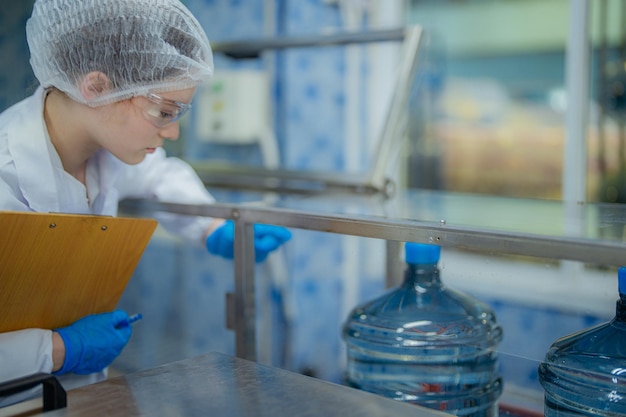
<point x="57" y="268"/>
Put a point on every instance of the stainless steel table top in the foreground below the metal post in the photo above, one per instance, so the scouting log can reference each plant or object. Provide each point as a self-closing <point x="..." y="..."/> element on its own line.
<point x="223" y="385"/>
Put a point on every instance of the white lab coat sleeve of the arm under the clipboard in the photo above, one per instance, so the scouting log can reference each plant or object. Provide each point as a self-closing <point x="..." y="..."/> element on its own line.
<point x="22" y="353"/>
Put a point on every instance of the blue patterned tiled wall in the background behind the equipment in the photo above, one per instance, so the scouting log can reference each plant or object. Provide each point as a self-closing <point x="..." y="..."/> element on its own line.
<point x="180" y="289"/>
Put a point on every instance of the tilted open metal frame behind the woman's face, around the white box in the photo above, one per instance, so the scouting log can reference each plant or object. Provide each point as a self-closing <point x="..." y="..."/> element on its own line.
<point x="372" y="182"/>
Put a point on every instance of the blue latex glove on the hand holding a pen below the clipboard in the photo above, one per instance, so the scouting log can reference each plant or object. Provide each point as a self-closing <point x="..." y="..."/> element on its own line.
<point x="94" y="341"/>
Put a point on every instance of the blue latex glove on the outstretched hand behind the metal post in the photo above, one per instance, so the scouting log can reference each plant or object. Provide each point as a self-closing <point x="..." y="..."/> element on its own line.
<point x="267" y="238"/>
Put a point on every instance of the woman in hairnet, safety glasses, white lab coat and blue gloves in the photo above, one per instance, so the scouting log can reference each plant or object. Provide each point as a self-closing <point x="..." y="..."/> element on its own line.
<point x="116" y="76"/>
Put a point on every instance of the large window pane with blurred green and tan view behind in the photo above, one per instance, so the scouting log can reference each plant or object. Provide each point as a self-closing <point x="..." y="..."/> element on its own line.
<point x="488" y="110"/>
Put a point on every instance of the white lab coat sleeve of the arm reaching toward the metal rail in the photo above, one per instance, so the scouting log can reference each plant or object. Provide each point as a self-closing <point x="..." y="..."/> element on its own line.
<point x="169" y="180"/>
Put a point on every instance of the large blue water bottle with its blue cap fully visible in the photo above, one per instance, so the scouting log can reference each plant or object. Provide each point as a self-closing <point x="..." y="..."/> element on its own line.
<point x="426" y="344"/>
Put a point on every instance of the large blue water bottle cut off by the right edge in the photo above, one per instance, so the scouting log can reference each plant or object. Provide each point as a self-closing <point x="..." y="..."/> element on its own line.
<point x="584" y="374"/>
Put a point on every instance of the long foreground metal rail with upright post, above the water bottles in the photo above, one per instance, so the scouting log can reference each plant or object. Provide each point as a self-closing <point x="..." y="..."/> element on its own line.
<point x="241" y="309"/>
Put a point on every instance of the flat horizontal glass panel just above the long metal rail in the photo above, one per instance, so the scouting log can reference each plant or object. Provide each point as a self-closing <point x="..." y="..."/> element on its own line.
<point x="510" y="214"/>
